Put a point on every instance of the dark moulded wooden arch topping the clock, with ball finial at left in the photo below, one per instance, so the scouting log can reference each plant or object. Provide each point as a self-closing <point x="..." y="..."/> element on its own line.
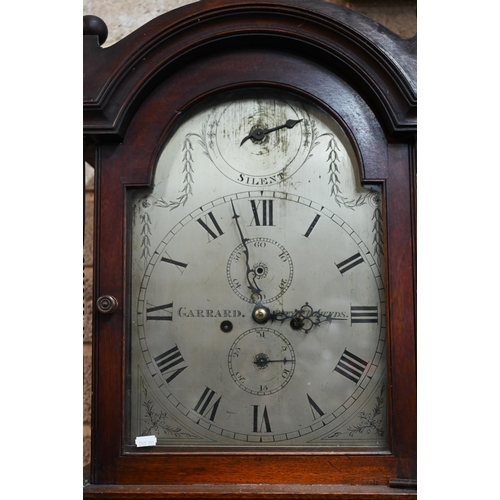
<point x="379" y="64"/>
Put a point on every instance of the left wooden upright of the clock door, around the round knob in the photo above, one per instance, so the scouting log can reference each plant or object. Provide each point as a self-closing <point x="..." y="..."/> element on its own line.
<point x="108" y="337"/>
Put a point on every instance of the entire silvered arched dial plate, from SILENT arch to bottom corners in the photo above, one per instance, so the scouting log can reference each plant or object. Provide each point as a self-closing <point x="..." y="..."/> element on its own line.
<point x="257" y="298"/>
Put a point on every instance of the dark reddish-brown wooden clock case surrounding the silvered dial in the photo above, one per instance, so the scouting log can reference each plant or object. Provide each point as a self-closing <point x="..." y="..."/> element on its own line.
<point x="134" y="93"/>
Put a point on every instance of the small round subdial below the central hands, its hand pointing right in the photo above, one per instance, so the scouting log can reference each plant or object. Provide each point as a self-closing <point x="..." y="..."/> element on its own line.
<point x="261" y="361"/>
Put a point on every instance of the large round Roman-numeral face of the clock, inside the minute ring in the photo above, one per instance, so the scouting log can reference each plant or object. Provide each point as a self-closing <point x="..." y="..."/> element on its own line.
<point x="258" y="377"/>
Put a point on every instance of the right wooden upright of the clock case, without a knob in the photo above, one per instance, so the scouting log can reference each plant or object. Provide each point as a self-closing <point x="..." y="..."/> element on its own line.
<point x="401" y="276"/>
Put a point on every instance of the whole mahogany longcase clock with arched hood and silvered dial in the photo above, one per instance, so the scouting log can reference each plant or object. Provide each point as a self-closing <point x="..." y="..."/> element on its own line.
<point x="254" y="325"/>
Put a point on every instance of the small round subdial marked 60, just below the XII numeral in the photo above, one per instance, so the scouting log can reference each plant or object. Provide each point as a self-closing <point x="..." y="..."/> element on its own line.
<point x="270" y="269"/>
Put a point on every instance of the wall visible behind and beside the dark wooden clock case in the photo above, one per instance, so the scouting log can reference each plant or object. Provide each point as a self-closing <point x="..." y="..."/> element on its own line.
<point x="124" y="16"/>
